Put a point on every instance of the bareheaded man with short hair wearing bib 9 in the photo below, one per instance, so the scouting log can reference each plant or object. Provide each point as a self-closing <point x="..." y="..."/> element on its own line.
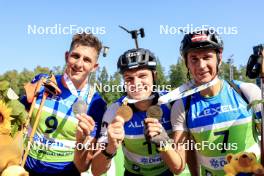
<point x="54" y="150"/>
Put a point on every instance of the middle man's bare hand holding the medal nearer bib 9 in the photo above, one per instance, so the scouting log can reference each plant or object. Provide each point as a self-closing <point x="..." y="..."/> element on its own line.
<point x="116" y="134"/>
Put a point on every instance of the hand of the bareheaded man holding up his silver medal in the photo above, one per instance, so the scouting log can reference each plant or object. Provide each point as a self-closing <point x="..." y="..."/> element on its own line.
<point x="85" y="127"/>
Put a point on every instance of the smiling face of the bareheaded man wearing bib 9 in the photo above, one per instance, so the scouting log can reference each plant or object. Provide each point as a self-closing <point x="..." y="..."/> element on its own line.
<point x="80" y="61"/>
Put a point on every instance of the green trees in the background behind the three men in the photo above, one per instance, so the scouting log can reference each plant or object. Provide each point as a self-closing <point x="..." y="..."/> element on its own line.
<point x="176" y="76"/>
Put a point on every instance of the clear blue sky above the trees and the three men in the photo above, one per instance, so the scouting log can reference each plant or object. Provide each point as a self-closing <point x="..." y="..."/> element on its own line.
<point x="20" y="49"/>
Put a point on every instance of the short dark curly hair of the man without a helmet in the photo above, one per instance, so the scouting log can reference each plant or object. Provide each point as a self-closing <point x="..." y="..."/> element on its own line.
<point x="86" y="39"/>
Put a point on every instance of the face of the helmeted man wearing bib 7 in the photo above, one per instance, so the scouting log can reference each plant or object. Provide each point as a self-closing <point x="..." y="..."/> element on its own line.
<point x="202" y="65"/>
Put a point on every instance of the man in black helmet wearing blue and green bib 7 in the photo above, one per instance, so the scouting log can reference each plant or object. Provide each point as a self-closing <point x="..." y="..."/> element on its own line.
<point x="216" y="118"/>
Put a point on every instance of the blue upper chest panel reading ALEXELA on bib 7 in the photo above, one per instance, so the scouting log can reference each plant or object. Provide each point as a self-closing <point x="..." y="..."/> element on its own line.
<point x="226" y="107"/>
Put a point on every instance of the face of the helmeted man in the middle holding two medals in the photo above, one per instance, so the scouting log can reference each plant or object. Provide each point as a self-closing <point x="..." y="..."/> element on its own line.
<point x="138" y="83"/>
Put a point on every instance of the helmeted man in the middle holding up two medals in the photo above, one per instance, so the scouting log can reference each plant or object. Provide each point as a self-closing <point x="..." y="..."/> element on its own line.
<point x="141" y="135"/>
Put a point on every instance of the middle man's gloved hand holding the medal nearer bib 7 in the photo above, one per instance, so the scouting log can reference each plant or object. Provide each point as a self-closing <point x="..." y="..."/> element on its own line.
<point x="155" y="132"/>
